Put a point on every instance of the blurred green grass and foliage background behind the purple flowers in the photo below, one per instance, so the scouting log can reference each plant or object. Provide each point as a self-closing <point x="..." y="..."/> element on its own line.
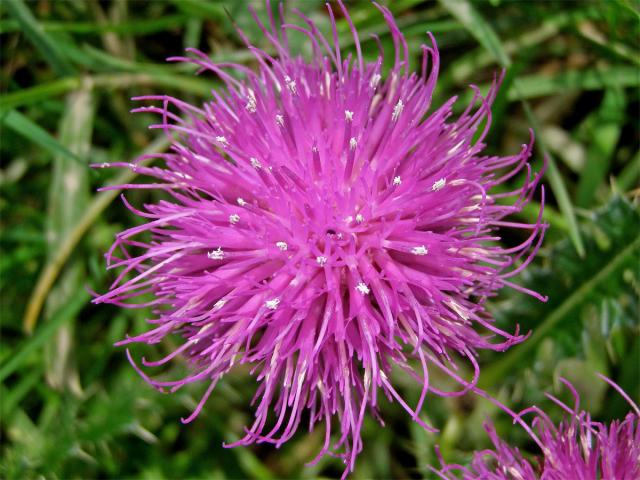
<point x="71" y="406"/>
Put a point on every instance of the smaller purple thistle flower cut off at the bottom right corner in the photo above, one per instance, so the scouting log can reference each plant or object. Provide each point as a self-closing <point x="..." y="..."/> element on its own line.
<point x="576" y="448"/>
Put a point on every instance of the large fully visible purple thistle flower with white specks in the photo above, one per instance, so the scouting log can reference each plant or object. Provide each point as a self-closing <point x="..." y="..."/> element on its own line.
<point x="322" y="227"/>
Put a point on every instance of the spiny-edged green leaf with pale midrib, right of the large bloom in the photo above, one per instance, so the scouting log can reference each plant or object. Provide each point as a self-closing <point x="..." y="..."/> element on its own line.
<point x="570" y="282"/>
